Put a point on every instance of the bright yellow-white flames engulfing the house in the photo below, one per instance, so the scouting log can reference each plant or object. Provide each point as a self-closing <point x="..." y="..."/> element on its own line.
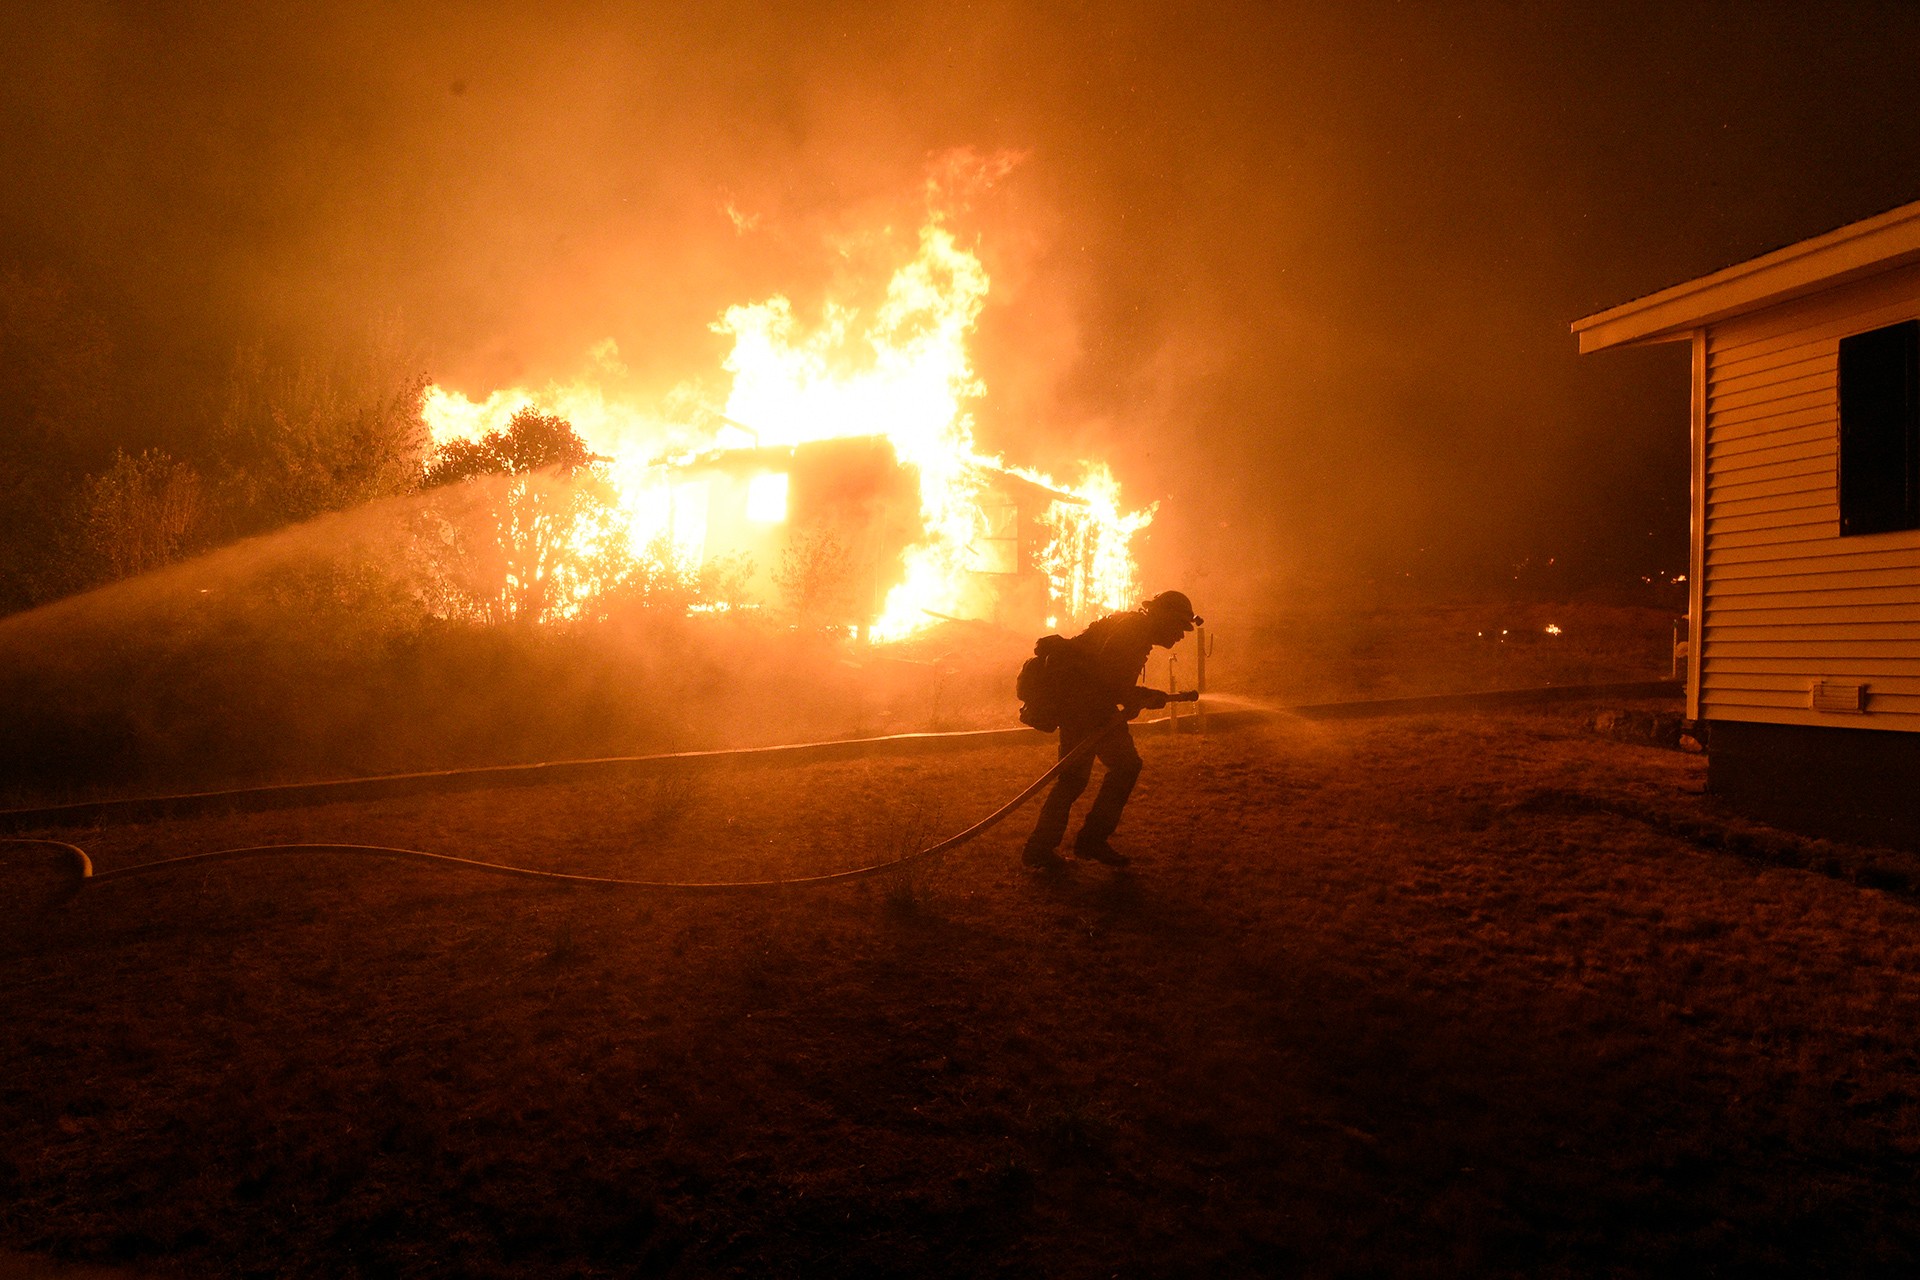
<point x="900" y="373"/>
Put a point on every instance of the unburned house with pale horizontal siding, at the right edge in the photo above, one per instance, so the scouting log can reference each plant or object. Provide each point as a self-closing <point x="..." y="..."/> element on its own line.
<point x="1806" y="519"/>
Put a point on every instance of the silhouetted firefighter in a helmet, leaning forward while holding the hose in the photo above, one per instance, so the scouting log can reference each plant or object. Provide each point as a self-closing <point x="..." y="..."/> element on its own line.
<point x="1101" y="678"/>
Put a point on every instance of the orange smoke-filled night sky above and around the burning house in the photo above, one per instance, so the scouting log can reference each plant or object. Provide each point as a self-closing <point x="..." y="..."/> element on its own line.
<point x="1303" y="273"/>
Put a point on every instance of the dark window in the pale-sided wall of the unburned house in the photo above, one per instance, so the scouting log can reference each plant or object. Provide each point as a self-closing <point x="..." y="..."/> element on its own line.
<point x="1881" y="431"/>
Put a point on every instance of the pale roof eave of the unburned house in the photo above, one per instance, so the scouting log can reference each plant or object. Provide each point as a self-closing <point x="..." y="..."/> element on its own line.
<point x="1858" y="250"/>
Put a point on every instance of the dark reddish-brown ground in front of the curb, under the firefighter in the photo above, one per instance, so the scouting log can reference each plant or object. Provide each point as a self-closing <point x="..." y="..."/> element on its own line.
<point x="1428" y="997"/>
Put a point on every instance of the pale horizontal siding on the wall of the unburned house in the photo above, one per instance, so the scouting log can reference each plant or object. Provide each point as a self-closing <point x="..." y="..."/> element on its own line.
<point x="1785" y="598"/>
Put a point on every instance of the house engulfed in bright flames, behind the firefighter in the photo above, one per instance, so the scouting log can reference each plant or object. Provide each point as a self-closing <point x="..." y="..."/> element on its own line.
<point x="844" y="469"/>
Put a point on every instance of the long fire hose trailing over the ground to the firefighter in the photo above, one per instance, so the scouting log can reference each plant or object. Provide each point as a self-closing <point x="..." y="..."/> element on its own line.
<point x="85" y="874"/>
